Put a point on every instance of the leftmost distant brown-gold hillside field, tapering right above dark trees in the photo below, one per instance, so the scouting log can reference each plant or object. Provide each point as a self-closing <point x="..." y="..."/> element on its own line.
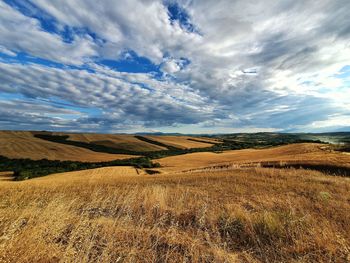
<point x="24" y="145"/>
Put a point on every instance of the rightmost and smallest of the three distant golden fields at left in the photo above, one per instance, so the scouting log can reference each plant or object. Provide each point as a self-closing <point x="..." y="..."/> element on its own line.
<point x="183" y="142"/>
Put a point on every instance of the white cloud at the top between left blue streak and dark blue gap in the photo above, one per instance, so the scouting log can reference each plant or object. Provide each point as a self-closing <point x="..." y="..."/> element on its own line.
<point x="142" y="26"/>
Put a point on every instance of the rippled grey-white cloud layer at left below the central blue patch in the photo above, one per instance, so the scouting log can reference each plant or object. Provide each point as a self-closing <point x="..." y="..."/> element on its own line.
<point x="120" y="97"/>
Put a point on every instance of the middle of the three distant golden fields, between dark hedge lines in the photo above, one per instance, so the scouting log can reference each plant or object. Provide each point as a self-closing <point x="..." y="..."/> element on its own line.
<point x="119" y="141"/>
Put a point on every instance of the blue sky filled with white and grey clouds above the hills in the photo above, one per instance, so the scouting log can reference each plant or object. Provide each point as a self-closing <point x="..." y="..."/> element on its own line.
<point x="188" y="66"/>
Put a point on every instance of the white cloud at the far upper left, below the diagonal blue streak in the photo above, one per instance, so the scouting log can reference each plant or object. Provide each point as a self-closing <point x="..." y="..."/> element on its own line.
<point x="20" y="33"/>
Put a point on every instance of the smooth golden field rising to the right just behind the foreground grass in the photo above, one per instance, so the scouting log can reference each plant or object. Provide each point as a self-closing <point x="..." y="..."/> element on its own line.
<point x="303" y="152"/>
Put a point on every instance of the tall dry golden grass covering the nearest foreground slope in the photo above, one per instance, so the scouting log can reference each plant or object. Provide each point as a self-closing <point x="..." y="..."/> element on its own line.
<point x="253" y="215"/>
